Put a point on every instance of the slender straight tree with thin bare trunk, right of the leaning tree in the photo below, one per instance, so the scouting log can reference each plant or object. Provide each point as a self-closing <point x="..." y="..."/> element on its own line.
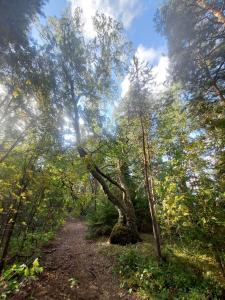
<point x="139" y="104"/>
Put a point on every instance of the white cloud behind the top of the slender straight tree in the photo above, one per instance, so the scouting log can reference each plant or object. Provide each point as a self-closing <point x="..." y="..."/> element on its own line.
<point x="160" y="67"/>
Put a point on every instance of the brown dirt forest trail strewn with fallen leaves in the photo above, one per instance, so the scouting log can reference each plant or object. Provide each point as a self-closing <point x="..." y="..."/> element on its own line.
<point x="74" y="269"/>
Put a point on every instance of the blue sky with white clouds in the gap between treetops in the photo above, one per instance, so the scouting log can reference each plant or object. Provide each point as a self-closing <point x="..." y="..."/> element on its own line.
<point x="137" y="17"/>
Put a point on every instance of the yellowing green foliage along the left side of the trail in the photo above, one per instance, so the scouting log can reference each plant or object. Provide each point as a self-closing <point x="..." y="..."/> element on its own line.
<point x="37" y="205"/>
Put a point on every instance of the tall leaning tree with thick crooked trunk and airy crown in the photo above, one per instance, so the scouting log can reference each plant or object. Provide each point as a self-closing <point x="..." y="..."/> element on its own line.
<point x="84" y="72"/>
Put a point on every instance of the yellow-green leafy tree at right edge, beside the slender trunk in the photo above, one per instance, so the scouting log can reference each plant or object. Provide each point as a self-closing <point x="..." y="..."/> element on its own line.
<point x="187" y="185"/>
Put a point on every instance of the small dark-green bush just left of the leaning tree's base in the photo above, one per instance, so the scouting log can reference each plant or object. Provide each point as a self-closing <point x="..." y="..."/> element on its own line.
<point x="102" y="219"/>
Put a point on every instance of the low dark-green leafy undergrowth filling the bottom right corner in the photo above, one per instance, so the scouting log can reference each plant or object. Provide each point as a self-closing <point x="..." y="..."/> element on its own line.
<point x="168" y="280"/>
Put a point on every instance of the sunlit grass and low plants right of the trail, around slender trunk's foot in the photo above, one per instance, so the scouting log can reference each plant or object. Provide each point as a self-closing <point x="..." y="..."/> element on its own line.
<point x="186" y="274"/>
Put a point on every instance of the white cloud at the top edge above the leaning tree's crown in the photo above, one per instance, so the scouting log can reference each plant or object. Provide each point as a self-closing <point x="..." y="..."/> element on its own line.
<point x="122" y="10"/>
